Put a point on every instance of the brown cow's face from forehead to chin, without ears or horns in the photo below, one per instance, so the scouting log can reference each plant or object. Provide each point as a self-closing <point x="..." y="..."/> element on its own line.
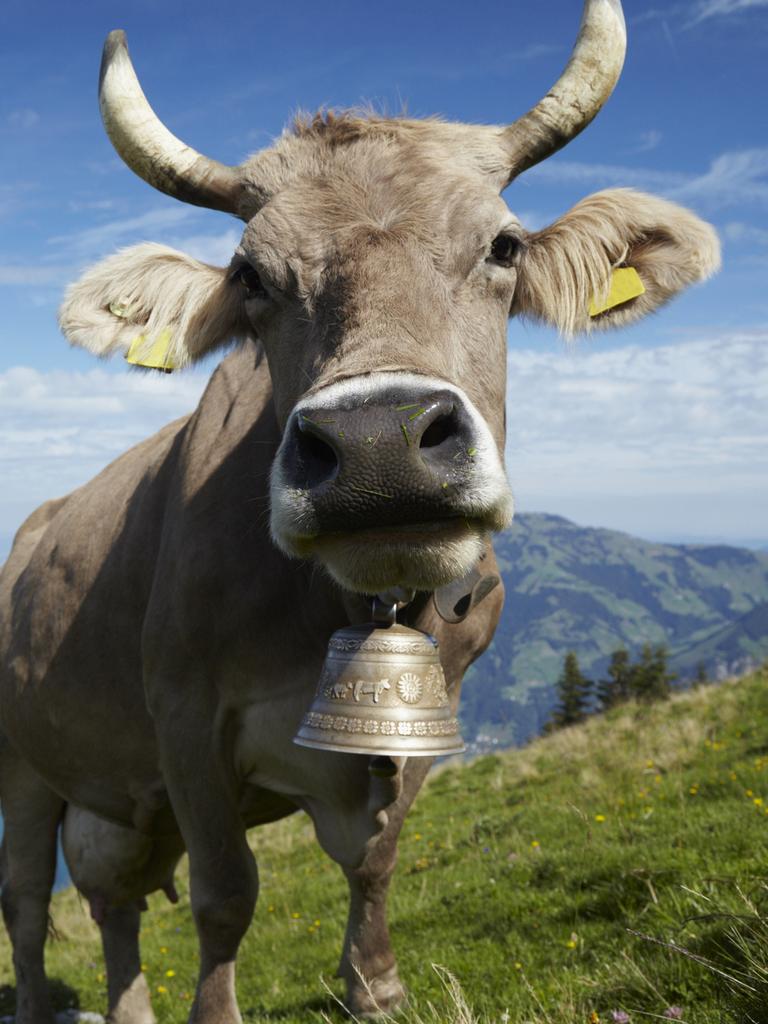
<point x="381" y="287"/>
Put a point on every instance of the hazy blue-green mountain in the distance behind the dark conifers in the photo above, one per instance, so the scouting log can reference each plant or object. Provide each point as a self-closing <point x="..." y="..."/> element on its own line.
<point x="591" y="591"/>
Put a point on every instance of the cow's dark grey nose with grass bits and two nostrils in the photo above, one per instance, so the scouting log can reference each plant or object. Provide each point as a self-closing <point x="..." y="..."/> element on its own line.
<point x="396" y="457"/>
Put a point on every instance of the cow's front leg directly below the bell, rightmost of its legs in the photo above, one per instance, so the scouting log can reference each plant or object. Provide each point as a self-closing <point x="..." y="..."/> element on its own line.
<point x="364" y="842"/>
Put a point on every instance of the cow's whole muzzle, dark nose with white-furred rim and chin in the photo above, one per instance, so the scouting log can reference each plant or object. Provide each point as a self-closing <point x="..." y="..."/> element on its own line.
<point x="389" y="480"/>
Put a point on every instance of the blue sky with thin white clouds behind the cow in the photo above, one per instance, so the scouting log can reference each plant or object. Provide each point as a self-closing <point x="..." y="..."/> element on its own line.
<point x="660" y="431"/>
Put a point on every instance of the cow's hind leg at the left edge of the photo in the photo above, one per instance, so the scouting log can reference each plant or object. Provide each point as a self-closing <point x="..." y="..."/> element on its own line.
<point x="31" y="814"/>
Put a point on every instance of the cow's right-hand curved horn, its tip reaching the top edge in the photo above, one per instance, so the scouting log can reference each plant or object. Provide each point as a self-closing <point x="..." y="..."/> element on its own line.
<point x="580" y="93"/>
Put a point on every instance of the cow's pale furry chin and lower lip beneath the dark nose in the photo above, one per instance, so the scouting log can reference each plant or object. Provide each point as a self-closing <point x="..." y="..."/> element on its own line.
<point x="420" y="557"/>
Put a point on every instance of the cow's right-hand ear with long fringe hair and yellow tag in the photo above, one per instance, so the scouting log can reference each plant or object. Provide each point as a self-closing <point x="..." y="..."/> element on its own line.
<point x="567" y="272"/>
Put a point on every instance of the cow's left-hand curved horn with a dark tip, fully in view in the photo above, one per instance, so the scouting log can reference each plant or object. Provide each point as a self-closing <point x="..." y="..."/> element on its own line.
<point x="147" y="146"/>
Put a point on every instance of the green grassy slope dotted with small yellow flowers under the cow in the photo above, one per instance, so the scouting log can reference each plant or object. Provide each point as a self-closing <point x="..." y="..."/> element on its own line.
<point x="620" y="867"/>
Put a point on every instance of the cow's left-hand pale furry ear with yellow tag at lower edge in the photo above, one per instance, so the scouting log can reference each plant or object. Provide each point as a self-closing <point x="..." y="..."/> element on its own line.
<point x="154" y="305"/>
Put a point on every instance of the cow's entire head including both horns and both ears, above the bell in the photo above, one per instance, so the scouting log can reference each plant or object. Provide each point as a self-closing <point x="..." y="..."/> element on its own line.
<point x="378" y="268"/>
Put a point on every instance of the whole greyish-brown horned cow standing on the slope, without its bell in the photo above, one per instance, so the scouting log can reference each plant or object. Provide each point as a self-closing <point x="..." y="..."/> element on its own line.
<point x="163" y="628"/>
